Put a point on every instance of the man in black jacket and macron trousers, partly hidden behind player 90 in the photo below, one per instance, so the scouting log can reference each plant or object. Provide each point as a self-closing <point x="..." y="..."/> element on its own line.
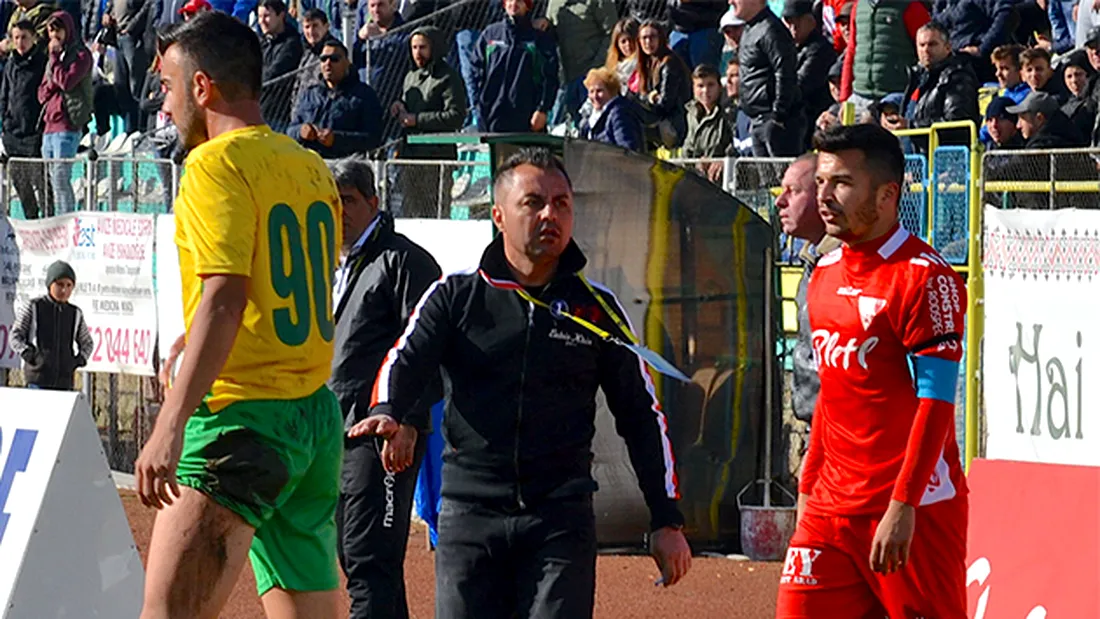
<point x="377" y="289"/>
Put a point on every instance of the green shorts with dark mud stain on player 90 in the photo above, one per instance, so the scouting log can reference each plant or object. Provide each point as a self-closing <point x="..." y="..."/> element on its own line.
<point x="277" y="465"/>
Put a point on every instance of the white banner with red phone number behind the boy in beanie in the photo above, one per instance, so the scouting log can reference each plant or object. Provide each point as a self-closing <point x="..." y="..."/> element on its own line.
<point x="113" y="257"/>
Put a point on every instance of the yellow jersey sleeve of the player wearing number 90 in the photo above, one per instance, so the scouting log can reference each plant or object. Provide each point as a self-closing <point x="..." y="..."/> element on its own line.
<point x="219" y="229"/>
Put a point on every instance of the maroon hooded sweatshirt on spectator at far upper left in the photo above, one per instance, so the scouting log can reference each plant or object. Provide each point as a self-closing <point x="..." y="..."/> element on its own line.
<point x="67" y="72"/>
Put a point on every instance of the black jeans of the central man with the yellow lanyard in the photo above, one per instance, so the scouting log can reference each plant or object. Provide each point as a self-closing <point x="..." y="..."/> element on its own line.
<point x="537" y="563"/>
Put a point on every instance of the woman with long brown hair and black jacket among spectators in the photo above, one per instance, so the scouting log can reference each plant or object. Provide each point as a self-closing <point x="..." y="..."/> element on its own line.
<point x="662" y="87"/>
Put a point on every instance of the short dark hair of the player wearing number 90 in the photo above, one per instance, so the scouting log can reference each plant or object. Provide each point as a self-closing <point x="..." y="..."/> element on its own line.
<point x="223" y="48"/>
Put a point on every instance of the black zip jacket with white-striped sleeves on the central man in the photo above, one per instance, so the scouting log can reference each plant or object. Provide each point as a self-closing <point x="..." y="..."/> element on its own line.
<point x="521" y="389"/>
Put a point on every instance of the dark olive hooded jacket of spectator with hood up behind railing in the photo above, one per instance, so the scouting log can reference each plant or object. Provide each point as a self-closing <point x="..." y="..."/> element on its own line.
<point x="437" y="95"/>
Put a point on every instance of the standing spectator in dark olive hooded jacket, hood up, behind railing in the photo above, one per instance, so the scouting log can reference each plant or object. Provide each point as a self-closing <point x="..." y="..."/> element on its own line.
<point x="434" y="102"/>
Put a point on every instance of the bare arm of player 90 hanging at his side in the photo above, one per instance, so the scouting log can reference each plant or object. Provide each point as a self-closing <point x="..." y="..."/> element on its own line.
<point x="214" y="331"/>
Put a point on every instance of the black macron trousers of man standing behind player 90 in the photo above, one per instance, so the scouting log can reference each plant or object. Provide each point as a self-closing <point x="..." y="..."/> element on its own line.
<point x="373" y="522"/>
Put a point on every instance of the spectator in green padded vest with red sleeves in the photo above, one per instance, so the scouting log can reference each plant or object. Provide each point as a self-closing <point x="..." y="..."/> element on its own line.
<point x="882" y="49"/>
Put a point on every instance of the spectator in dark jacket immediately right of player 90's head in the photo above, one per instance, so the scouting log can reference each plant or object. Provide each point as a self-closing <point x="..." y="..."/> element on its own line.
<point x="282" y="49"/>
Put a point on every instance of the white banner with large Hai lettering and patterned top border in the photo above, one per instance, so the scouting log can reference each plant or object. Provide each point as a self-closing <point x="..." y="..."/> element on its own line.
<point x="1042" y="272"/>
